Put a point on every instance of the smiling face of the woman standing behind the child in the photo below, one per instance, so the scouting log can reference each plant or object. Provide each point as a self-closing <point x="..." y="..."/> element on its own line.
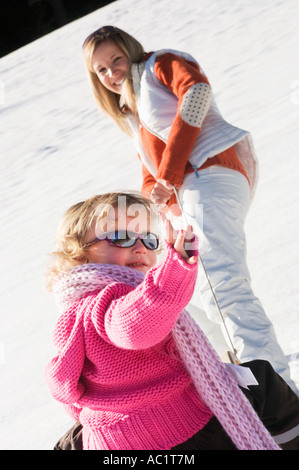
<point x="111" y="65"/>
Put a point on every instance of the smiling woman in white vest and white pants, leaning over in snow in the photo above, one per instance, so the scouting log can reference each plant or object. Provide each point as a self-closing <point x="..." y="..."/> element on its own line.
<point x="164" y="101"/>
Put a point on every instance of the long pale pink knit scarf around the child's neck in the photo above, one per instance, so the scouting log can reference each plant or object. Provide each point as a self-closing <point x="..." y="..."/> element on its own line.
<point x="216" y="387"/>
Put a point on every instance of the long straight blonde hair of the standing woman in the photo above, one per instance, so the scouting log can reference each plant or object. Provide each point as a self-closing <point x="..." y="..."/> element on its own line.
<point x="108" y="101"/>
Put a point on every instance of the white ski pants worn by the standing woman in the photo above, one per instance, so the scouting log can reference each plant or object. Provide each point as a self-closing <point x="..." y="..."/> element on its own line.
<point x="216" y="203"/>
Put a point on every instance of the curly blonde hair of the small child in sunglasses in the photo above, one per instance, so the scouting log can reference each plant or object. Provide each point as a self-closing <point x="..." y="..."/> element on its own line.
<point x="77" y="221"/>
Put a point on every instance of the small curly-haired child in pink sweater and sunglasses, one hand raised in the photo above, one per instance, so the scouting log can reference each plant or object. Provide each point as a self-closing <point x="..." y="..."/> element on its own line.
<point x="131" y="365"/>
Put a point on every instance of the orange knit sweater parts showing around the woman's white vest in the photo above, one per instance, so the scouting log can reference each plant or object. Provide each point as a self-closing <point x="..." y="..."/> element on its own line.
<point x="171" y="158"/>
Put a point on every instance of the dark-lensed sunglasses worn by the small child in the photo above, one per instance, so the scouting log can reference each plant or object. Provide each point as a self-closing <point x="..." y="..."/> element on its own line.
<point x="126" y="239"/>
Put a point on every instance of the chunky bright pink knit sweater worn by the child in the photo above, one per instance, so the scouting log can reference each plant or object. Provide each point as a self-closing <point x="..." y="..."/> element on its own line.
<point x="119" y="367"/>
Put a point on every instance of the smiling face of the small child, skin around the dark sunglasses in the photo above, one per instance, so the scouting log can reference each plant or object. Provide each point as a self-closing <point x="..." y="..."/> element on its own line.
<point x="137" y="256"/>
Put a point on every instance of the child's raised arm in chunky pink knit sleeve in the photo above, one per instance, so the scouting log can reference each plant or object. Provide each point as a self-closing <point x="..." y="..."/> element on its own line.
<point x="144" y="316"/>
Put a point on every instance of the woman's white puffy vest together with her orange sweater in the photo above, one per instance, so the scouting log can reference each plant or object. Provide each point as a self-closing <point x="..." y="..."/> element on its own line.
<point x="180" y="128"/>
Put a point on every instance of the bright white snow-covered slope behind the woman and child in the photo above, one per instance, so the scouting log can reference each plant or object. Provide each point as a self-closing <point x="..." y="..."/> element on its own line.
<point x="56" y="149"/>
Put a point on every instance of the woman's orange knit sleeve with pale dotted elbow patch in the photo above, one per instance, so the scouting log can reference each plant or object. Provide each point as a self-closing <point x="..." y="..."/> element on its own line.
<point x="189" y="85"/>
